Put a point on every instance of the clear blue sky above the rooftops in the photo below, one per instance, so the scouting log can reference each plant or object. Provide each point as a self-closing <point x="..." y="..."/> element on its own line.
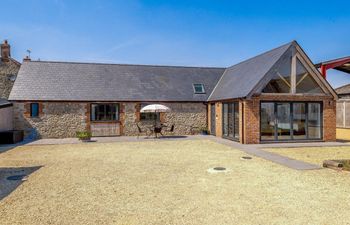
<point x="191" y="33"/>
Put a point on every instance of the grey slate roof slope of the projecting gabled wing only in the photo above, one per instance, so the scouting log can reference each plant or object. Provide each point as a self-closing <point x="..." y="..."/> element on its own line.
<point x="239" y="80"/>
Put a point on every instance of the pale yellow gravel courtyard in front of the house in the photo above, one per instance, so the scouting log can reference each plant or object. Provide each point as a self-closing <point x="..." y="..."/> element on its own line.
<point x="167" y="182"/>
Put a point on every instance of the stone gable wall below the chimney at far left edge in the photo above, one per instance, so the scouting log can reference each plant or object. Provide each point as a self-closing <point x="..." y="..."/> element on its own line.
<point x="7" y="70"/>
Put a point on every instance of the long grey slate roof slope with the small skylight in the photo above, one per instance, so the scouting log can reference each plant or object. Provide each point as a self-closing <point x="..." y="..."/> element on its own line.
<point x="64" y="81"/>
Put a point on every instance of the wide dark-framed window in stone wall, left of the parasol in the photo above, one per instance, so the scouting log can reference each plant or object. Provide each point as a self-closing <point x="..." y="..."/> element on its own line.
<point x="104" y="112"/>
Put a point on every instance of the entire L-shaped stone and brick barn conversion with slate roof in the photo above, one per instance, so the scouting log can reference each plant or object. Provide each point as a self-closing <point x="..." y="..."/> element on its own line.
<point x="276" y="96"/>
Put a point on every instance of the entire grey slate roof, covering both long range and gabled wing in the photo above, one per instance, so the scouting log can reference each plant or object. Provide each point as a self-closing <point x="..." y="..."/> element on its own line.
<point x="69" y="81"/>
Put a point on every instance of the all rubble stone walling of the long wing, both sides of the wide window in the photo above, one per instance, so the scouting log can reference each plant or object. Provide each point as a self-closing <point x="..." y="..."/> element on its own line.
<point x="63" y="119"/>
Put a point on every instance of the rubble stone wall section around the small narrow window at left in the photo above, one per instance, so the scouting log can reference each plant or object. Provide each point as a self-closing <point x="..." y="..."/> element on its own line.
<point x="56" y="120"/>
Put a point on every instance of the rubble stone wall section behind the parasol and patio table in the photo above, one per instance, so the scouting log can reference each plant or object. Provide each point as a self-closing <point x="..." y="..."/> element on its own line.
<point x="186" y="117"/>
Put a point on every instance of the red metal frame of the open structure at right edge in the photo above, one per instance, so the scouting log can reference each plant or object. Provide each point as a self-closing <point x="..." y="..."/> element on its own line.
<point x="341" y="64"/>
